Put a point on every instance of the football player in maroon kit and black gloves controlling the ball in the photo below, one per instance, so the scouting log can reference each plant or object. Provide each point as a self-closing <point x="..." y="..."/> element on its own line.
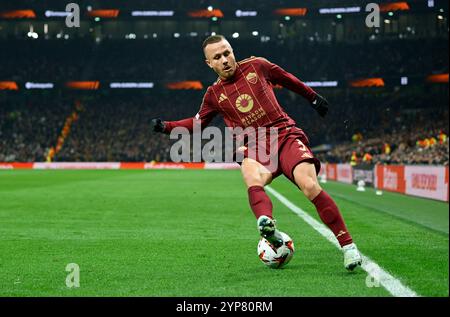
<point x="243" y="95"/>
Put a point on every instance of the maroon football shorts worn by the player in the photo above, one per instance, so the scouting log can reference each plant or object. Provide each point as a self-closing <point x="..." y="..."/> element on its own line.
<point x="292" y="149"/>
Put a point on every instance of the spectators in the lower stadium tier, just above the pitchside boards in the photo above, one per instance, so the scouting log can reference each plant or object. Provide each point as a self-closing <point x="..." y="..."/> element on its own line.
<point x="115" y="126"/>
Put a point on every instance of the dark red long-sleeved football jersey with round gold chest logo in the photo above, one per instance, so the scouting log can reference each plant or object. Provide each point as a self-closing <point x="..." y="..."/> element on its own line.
<point x="248" y="99"/>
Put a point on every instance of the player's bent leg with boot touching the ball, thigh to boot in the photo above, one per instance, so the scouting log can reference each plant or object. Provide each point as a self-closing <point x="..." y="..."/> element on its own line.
<point x="256" y="176"/>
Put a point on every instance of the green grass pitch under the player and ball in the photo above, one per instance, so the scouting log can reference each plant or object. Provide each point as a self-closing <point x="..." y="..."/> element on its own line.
<point x="192" y="233"/>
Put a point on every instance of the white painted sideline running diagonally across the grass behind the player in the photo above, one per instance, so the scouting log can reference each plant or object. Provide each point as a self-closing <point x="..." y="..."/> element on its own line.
<point x="390" y="283"/>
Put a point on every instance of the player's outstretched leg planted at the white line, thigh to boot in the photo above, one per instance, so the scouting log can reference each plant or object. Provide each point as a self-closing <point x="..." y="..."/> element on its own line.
<point x="304" y="175"/>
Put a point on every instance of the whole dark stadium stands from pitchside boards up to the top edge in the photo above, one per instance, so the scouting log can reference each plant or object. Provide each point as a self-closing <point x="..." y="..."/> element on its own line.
<point x="113" y="126"/>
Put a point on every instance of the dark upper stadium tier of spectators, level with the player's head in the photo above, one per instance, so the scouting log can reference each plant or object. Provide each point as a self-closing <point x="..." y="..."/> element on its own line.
<point x="156" y="59"/>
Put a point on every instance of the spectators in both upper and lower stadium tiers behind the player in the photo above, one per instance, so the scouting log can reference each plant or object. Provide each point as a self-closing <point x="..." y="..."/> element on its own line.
<point x="113" y="125"/>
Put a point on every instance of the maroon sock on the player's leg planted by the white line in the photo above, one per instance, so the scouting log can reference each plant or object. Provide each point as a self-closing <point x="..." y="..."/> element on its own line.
<point x="330" y="215"/>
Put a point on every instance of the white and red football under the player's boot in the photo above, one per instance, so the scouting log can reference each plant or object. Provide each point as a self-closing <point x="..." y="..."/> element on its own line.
<point x="276" y="258"/>
